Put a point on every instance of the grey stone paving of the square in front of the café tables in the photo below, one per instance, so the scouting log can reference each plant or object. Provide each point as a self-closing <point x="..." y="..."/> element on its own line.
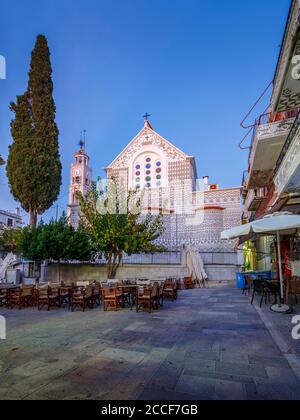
<point x="209" y="345"/>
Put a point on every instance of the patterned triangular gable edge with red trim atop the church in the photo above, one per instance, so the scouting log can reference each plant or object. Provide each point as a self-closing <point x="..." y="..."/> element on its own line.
<point x="146" y="130"/>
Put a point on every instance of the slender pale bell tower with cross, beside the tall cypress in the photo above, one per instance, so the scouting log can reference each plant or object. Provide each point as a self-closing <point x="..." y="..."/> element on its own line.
<point x="81" y="181"/>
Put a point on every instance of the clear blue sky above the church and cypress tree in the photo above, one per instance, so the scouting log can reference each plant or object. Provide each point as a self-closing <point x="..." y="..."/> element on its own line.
<point x="196" y="65"/>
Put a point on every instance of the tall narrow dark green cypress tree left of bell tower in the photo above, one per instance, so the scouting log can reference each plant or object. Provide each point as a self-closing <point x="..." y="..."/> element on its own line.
<point x="33" y="166"/>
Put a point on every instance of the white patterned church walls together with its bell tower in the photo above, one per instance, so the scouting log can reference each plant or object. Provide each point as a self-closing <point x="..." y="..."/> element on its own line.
<point x="153" y="164"/>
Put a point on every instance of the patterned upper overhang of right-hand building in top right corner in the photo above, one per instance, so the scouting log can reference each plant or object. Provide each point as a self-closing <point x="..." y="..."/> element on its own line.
<point x="286" y="93"/>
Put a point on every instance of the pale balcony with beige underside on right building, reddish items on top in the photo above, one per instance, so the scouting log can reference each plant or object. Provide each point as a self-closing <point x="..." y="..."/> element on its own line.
<point x="269" y="136"/>
